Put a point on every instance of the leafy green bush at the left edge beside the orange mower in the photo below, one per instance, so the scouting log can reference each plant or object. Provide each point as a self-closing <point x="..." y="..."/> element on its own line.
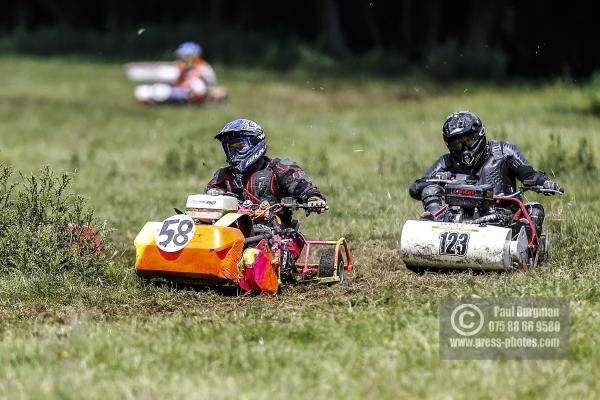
<point x="41" y="229"/>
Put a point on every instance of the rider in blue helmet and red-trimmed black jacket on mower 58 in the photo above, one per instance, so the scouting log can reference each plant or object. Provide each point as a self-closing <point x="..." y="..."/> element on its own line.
<point x="251" y="175"/>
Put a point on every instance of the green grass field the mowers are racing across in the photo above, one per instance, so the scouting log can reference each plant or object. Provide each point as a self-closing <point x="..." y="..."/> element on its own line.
<point x="363" y="141"/>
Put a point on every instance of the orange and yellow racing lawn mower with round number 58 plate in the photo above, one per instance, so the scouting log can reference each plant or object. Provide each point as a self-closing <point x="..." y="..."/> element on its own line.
<point x="219" y="242"/>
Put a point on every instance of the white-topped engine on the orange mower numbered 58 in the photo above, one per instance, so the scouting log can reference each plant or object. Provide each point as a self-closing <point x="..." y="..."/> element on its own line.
<point x="206" y="208"/>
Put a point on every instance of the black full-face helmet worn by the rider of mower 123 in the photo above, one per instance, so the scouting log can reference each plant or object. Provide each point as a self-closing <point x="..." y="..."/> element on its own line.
<point x="464" y="135"/>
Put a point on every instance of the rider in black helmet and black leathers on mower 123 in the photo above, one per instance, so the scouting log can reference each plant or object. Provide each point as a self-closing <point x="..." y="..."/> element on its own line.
<point x="495" y="162"/>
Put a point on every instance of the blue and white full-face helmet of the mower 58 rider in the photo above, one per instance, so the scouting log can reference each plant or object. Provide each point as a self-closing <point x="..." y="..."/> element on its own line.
<point x="243" y="142"/>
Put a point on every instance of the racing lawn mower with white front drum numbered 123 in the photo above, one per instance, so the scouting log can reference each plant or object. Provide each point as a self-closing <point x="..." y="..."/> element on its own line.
<point x="475" y="230"/>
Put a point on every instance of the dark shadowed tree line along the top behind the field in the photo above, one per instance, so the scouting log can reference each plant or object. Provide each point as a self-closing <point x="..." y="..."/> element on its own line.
<point x="273" y="33"/>
